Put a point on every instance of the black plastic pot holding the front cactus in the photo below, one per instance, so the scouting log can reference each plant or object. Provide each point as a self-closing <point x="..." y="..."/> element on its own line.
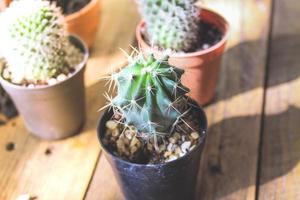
<point x="175" y="180"/>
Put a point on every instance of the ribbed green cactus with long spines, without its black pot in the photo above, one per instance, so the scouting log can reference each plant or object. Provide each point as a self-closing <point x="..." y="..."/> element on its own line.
<point x="148" y="93"/>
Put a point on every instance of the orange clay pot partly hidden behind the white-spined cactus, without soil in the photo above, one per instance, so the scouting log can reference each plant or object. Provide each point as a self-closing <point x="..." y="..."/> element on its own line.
<point x="83" y="23"/>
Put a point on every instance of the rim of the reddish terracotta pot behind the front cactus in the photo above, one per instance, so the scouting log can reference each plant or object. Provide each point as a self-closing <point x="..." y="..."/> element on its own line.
<point x="195" y="53"/>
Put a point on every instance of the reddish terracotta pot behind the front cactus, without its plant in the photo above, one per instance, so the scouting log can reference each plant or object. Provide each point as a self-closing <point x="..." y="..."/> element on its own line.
<point x="201" y="67"/>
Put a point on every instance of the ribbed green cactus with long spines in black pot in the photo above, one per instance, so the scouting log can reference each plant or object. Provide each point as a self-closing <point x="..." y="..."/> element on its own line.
<point x="152" y="133"/>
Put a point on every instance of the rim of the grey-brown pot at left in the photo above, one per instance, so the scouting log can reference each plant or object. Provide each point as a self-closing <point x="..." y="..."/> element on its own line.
<point x="79" y="67"/>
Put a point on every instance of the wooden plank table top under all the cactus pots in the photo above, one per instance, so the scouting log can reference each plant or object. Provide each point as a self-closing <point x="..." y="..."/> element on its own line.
<point x="253" y="147"/>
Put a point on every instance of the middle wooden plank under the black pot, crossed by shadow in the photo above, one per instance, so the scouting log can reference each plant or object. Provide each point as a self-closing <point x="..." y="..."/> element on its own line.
<point x="229" y="164"/>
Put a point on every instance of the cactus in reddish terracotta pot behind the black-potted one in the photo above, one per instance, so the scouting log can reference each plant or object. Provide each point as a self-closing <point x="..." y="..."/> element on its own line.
<point x="194" y="38"/>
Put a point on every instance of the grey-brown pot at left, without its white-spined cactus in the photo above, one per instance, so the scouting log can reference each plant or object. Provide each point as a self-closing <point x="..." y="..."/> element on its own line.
<point x="56" y="111"/>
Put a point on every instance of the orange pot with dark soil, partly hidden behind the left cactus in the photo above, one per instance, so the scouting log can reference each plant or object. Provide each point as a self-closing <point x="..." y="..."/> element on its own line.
<point x="82" y="17"/>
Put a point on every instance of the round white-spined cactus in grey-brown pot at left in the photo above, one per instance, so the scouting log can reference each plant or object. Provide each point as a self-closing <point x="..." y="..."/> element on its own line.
<point x="44" y="68"/>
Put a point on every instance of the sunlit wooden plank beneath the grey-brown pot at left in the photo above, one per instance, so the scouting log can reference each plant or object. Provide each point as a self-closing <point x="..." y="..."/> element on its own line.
<point x="65" y="173"/>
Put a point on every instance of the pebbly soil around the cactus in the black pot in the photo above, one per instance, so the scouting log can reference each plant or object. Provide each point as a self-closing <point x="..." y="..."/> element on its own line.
<point x="128" y="144"/>
